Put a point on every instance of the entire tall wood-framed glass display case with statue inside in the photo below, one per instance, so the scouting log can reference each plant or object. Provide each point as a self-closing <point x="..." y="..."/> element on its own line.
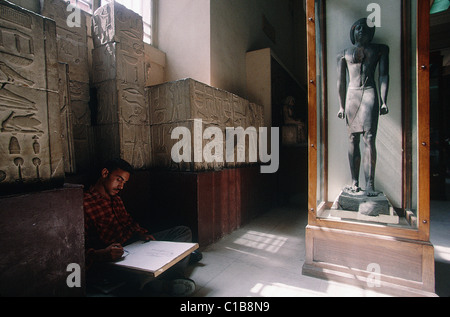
<point x="368" y="196"/>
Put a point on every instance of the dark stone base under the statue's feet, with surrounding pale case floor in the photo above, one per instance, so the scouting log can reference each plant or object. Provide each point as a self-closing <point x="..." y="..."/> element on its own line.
<point x="360" y="205"/>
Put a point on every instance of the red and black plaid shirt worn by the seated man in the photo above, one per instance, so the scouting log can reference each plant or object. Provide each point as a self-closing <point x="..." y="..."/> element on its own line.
<point x="107" y="221"/>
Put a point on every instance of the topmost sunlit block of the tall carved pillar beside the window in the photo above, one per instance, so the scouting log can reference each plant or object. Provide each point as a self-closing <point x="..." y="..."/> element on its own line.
<point x="113" y="22"/>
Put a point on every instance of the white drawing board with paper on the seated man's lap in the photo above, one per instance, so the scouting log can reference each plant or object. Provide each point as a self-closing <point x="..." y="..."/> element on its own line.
<point x="154" y="257"/>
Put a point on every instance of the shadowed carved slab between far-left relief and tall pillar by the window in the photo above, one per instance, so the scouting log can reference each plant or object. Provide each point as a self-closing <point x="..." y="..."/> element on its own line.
<point x="72" y="46"/>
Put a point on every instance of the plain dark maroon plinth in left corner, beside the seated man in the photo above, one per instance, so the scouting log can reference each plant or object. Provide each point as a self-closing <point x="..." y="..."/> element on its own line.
<point x="40" y="235"/>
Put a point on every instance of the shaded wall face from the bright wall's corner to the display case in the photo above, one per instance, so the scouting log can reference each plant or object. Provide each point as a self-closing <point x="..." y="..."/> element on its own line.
<point x="236" y="28"/>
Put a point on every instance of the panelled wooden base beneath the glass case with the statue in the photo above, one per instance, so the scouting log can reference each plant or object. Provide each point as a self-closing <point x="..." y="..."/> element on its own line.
<point x="389" y="265"/>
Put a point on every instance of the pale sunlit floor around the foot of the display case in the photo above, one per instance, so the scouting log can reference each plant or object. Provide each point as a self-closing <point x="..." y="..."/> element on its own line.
<point x="265" y="258"/>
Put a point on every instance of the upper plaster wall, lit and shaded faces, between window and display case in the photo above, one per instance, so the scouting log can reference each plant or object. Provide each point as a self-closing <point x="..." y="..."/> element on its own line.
<point x="207" y="40"/>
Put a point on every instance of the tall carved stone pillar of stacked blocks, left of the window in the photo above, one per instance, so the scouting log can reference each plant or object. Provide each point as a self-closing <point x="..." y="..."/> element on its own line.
<point x="119" y="76"/>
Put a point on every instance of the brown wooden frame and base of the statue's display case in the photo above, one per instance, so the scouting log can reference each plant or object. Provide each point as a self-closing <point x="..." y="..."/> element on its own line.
<point x="341" y="250"/>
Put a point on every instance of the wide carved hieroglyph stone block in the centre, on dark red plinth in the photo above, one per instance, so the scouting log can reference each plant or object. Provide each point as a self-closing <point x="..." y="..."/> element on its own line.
<point x="178" y="103"/>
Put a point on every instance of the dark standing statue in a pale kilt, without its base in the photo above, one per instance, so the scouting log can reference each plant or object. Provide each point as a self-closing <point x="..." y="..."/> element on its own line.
<point x="359" y="102"/>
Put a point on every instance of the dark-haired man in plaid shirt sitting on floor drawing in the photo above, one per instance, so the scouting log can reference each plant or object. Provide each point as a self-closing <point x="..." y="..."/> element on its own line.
<point x="108" y="227"/>
